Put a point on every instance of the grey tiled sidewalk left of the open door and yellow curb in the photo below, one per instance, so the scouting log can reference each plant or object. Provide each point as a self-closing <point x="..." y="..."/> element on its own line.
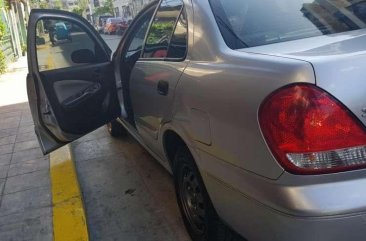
<point x="25" y="200"/>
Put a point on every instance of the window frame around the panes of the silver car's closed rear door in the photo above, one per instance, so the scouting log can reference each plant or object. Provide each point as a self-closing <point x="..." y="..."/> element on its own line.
<point x="182" y="11"/>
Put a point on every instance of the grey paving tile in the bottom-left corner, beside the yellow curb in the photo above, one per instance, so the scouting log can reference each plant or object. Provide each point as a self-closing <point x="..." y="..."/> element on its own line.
<point x="29" y="225"/>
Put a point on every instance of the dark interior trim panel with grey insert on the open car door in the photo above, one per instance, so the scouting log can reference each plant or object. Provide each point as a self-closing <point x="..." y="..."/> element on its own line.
<point x="81" y="95"/>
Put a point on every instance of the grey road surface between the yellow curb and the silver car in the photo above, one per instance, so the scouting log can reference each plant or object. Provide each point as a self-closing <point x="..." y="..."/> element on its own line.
<point x="127" y="194"/>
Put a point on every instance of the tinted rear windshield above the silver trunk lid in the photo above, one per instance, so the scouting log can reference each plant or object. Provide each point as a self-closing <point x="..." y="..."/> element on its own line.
<point x="249" y="23"/>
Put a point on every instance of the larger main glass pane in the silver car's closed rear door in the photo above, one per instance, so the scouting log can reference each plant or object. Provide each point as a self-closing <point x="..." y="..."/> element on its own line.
<point x="162" y="28"/>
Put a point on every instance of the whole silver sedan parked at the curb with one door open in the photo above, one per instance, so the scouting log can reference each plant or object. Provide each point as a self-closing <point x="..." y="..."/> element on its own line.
<point x="257" y="108"/>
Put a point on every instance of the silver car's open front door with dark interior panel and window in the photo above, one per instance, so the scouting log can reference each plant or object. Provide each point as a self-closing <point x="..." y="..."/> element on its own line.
<point x="70" y="82"/>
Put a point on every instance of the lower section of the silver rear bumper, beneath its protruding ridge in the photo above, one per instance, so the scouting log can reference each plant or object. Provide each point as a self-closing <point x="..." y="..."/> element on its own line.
<point x="257" y="222"/>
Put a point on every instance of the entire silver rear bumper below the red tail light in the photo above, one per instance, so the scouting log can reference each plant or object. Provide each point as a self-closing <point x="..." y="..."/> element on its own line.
<point x="269" y="210"/>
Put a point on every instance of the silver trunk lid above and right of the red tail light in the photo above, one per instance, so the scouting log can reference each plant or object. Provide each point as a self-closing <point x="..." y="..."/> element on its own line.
<point x="339" y="63"/>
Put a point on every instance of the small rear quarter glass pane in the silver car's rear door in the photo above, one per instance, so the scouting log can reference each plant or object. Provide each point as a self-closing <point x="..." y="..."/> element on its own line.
<point x="178" y="44"/>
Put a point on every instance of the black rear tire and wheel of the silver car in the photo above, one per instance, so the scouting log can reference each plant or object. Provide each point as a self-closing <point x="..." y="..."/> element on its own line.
<point x="198" y="213"/>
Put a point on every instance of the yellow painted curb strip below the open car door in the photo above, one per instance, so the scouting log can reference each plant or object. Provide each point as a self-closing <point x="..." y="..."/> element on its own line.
<point x="69" y="220"/>
